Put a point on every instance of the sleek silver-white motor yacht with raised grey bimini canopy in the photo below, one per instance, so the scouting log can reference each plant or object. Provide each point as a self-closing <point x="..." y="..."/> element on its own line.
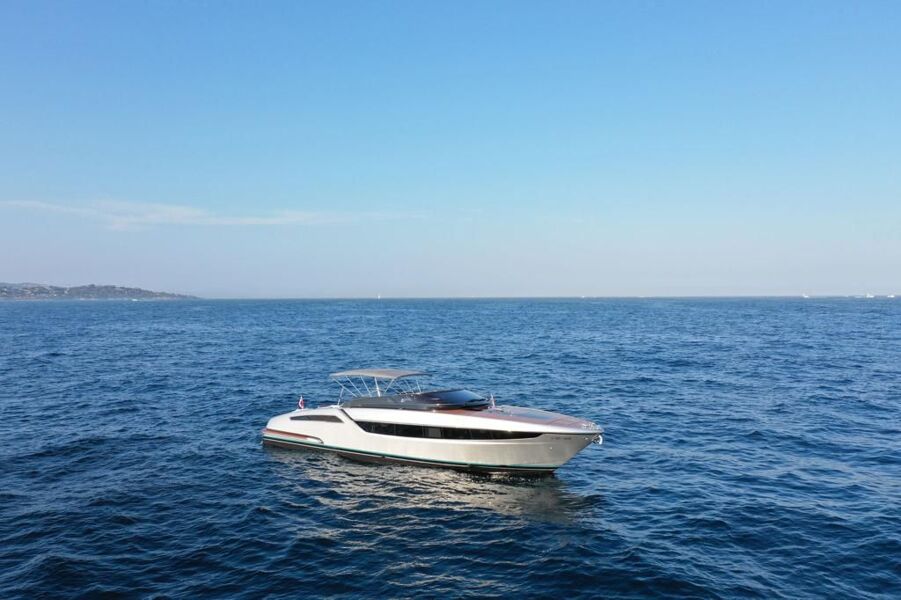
<point x="387" y="415"/>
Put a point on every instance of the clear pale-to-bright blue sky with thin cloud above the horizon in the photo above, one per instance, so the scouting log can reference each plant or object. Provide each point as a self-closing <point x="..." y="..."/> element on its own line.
<point x="452" y="149"/>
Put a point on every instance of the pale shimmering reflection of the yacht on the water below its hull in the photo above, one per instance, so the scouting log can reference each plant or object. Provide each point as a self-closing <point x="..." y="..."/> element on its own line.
<point x="349" y="485"/>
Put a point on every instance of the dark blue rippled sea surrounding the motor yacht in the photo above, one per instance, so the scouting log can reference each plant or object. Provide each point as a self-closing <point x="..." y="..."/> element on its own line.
<point x="752" y="449"/>
